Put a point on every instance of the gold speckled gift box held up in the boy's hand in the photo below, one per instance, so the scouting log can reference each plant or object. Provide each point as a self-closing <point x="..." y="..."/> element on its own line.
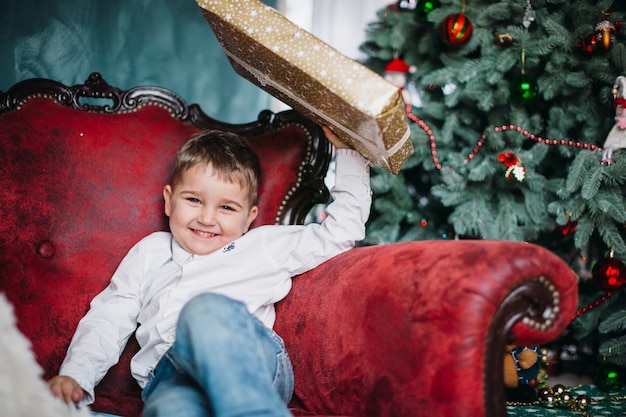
<point x="363" y="109"/>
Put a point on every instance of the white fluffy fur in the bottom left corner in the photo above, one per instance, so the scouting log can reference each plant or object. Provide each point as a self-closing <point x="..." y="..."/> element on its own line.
<point x="23" y="392"/>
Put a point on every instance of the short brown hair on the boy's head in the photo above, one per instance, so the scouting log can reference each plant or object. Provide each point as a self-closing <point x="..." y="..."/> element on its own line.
<point x="229" y="154"/>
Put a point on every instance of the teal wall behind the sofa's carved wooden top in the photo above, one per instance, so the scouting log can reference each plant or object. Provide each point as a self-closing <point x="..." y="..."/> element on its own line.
<point x="130" y="42"/>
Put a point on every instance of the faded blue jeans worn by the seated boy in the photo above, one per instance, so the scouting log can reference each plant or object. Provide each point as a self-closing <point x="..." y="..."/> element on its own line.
<point x="224" y="362"/>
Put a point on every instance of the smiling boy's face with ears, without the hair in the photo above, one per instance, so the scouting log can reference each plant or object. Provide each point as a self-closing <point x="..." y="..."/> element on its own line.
<point x="207" y="212"/>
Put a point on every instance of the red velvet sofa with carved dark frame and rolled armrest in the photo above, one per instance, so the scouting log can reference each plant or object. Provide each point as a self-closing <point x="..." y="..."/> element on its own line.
<point x="407" y="329"/>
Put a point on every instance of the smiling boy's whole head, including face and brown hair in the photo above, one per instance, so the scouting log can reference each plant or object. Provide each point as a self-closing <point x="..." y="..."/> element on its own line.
<point x="211" y="203"/>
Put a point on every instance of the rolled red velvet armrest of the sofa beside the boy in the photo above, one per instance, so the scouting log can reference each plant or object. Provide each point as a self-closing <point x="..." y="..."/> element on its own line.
<point x="405" y="329"/>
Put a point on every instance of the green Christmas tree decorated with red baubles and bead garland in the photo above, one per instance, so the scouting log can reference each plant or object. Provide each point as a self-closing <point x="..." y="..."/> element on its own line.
<point x="510" y="106"/>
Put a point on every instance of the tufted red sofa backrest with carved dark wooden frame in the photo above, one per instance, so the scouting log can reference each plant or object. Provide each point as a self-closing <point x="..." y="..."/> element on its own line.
<point x="82" y="182"/>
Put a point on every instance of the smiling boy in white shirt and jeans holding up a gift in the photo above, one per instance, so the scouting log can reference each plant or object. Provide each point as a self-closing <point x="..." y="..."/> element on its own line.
<point x="203" y="294"/>
